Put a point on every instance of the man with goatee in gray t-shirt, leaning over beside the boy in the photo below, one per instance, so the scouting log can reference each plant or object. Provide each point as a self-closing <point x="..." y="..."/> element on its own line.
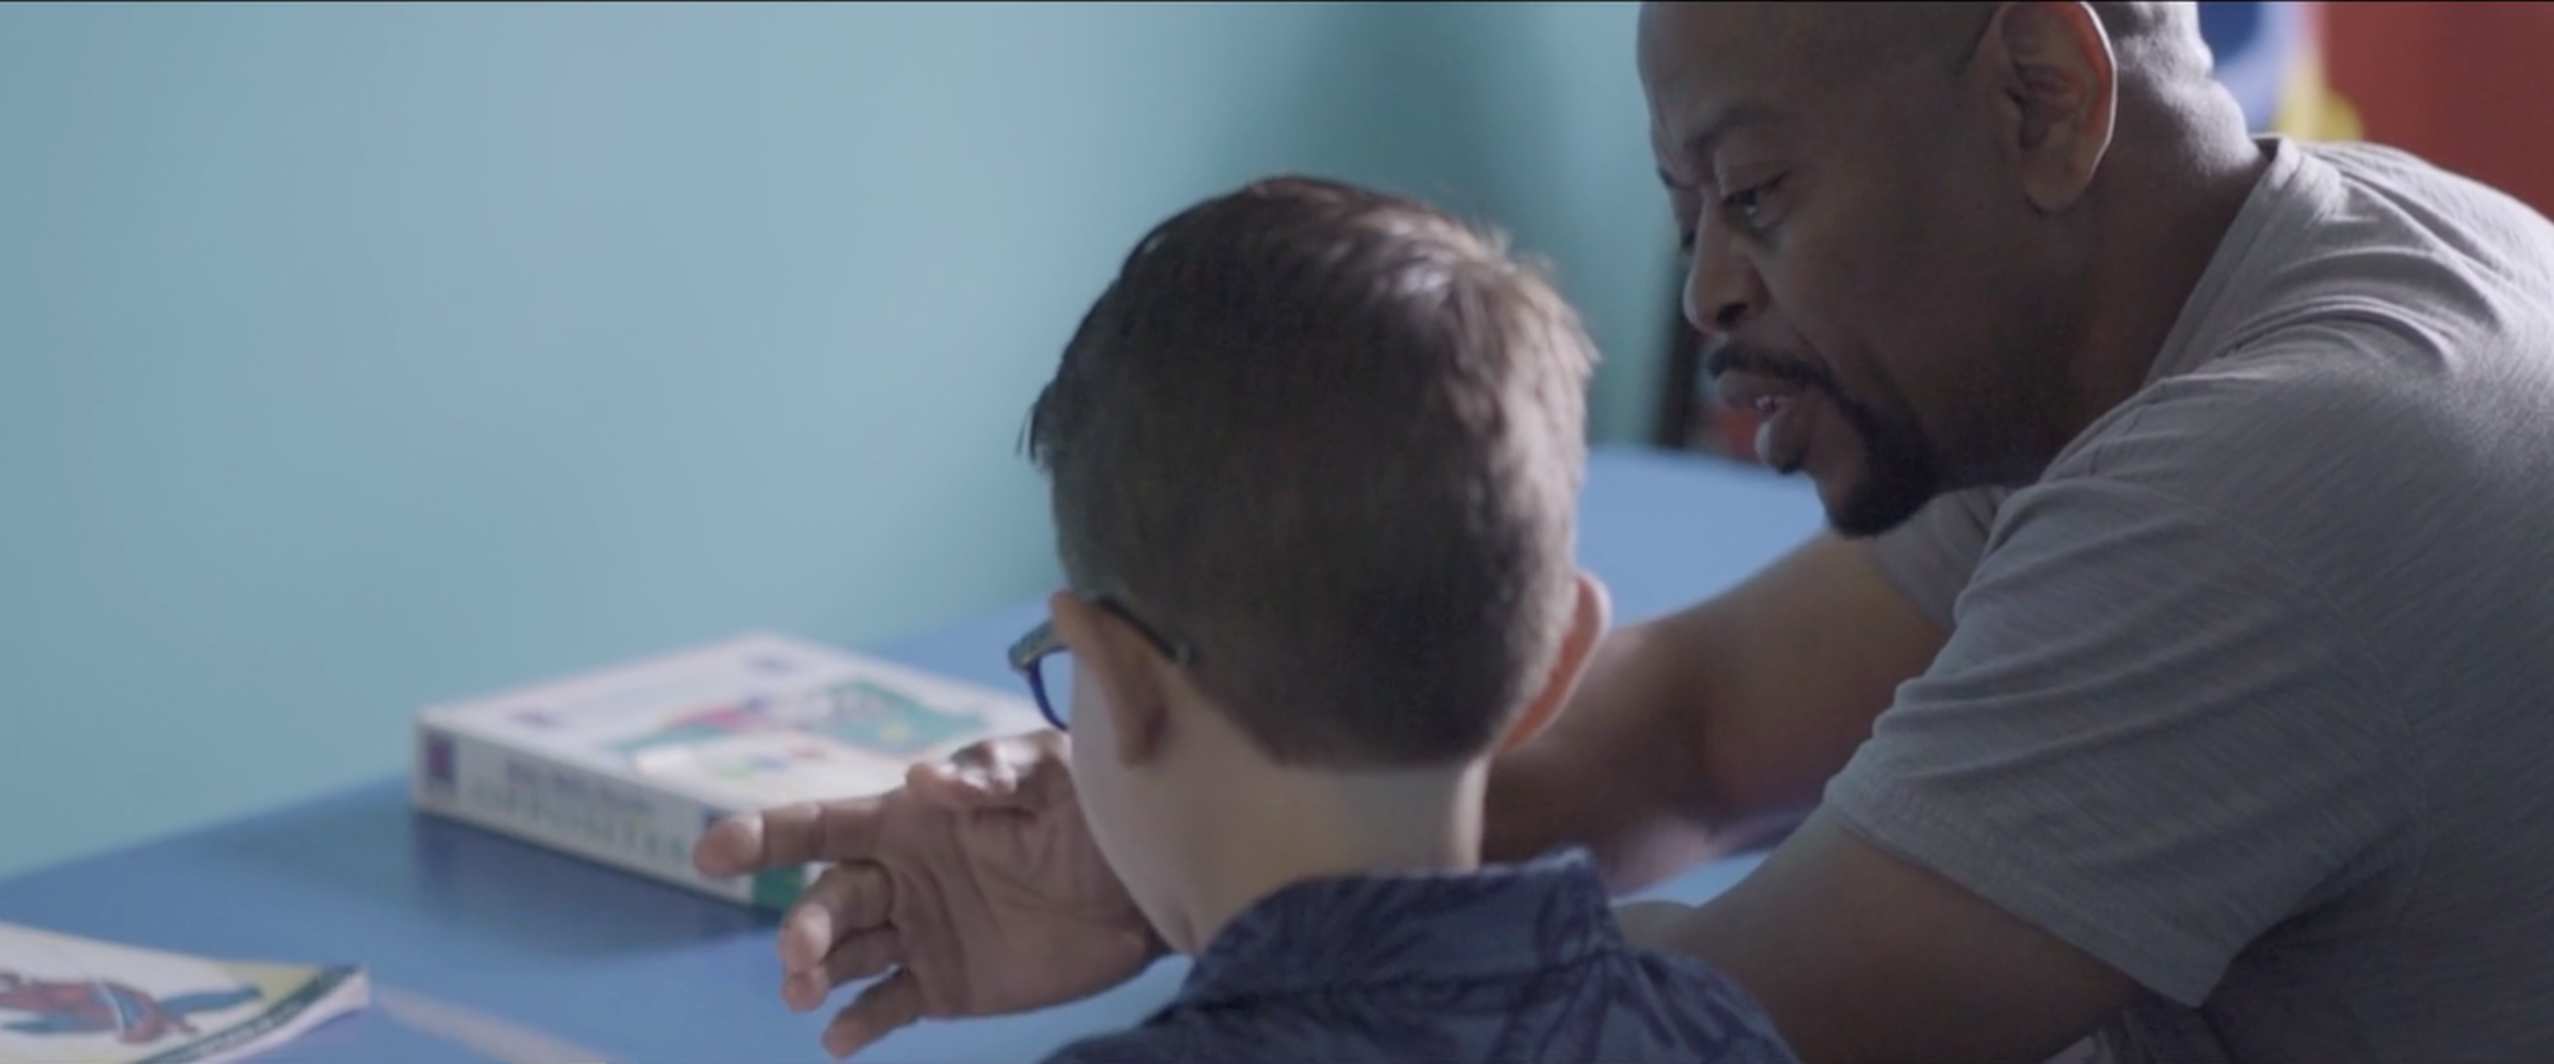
<point x="2172" y="690"/>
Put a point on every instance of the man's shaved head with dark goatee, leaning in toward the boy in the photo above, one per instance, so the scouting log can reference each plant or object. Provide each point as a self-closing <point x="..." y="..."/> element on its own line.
<point x="1896" y="211"/>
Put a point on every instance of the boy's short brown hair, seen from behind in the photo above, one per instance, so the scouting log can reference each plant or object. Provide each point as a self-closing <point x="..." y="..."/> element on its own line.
<point x="1334" y="443"/>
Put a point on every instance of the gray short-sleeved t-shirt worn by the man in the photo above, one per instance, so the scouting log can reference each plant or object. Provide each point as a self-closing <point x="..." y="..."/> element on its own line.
<point x="2251" y="695"/>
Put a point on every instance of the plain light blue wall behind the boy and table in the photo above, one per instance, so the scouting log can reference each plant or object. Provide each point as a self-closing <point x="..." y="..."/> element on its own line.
<point x="369" y="356"/>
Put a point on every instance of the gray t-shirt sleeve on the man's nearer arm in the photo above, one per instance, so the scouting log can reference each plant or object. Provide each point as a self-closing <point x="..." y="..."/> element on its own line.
<point x="2147" y="736"/>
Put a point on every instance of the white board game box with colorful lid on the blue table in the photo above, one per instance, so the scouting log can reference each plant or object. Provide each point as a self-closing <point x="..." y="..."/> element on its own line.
<point x="632" y="764"/>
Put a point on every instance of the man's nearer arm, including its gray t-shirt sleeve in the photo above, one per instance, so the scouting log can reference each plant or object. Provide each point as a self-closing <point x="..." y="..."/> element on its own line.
<point x="2149" y="744"/>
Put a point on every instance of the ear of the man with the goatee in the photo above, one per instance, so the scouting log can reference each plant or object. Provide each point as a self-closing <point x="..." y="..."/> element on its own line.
<point x="2060" y="88"/>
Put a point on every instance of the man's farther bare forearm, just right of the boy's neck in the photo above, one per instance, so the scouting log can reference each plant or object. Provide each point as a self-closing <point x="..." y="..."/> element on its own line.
<point x="1697" y="726"/>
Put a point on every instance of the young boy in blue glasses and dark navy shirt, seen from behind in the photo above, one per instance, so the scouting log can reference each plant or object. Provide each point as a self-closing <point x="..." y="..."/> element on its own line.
<point x="1314" y="471"/>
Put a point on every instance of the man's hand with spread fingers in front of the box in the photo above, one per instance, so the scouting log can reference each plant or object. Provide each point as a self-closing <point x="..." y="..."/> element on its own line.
<point x="977" y="884"/>
